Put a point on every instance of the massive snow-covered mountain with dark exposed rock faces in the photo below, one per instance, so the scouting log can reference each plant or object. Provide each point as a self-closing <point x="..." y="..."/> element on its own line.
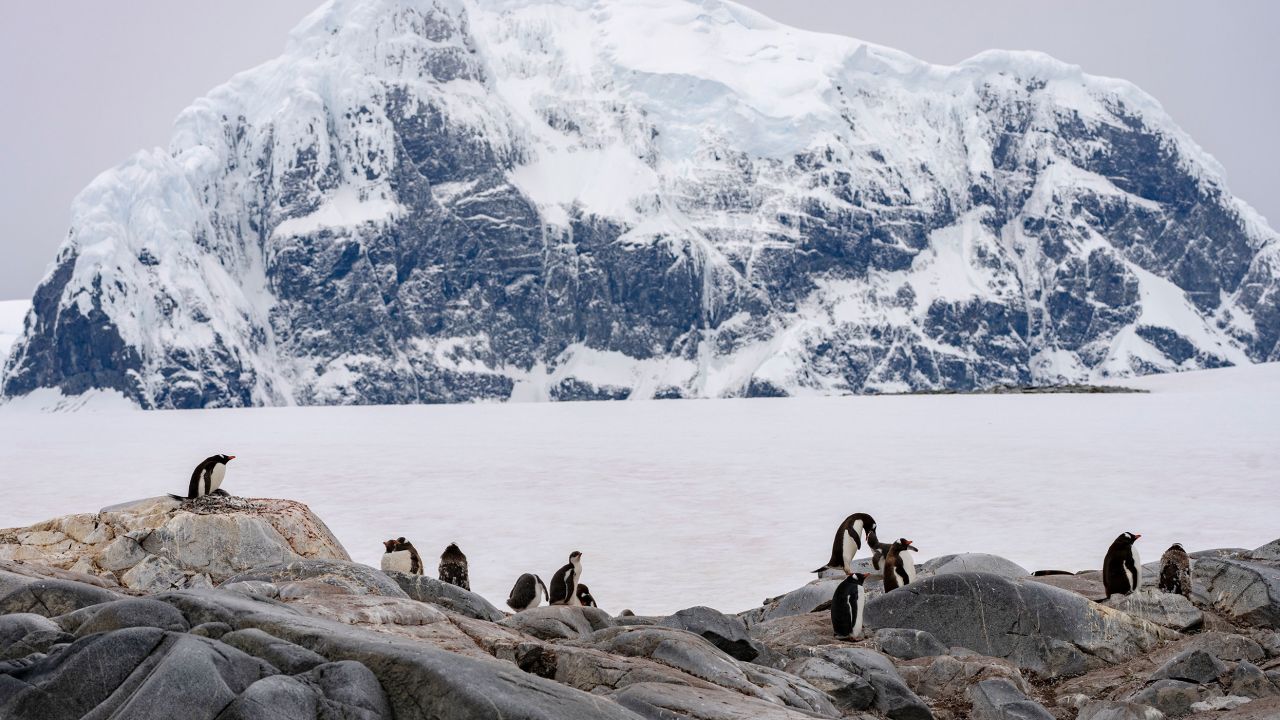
<point x="458" y="200"/>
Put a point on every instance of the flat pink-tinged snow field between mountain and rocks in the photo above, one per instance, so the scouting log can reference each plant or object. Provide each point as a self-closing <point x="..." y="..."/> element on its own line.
<point x="706" y="503"/>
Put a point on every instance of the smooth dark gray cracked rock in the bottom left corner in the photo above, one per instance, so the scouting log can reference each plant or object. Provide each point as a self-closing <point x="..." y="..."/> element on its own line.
<point x="136" y="673"/>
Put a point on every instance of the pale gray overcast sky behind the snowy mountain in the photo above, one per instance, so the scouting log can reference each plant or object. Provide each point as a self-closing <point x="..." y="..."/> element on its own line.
<point x="85" y="84"/>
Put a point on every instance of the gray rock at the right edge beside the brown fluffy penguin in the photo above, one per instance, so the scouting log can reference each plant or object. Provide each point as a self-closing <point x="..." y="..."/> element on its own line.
<point x="1246" y="591"/>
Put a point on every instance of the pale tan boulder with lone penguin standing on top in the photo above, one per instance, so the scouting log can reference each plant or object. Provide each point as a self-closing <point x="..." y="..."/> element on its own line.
<point x="161" y="544"/>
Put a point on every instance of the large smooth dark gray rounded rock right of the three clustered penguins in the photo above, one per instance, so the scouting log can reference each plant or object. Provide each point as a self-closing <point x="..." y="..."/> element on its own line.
<point x="1041" y="628"/>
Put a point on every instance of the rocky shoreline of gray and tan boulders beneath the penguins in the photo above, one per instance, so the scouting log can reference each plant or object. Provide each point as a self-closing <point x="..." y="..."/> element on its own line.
<point x="252" y="609"/>
